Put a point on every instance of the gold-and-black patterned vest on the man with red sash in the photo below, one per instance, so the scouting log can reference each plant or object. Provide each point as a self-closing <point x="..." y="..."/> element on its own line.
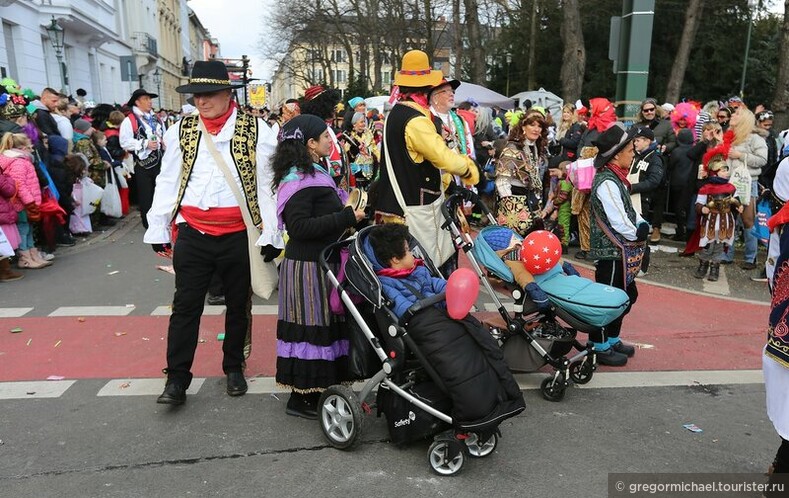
<point x="243" y="148"/>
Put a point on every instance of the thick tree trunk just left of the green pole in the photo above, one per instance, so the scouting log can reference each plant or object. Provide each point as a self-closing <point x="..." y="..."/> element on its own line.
<point x="574" y="56"/>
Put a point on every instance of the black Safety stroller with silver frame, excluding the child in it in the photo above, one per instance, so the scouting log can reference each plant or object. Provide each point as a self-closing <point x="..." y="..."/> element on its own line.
<point x="414" y="396"/>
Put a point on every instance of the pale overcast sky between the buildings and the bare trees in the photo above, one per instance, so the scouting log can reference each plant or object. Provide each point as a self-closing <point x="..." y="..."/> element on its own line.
<point x="237" y="28"/>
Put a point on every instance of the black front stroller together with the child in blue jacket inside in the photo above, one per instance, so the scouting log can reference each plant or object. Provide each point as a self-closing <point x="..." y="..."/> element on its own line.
<point x="432" y="364"/>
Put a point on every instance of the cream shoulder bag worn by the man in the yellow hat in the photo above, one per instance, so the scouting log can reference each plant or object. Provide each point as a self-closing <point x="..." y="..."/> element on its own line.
<point x="424" y="222"/>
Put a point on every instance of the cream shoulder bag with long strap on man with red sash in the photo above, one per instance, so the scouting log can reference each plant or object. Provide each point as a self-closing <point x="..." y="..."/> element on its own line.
<point x="263" y="276"/>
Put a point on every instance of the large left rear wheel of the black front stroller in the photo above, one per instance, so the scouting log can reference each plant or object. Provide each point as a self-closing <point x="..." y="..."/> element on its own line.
<point x="340" y="416"/>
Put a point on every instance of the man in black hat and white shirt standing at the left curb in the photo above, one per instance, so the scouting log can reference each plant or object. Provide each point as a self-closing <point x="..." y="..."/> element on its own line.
<point x="141" y="134"/>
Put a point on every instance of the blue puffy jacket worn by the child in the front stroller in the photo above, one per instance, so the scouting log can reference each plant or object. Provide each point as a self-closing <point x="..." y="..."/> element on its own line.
<point x="395" y="289"/>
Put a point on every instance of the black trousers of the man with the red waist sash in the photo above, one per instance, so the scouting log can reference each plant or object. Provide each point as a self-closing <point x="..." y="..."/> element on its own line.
<point x="196" y="257"/>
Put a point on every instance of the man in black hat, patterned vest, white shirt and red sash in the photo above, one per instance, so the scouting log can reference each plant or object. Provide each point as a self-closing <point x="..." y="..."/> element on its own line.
<point x="192" y="190"/>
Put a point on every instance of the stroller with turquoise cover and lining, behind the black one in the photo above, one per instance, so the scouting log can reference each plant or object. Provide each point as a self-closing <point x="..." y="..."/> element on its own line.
<point x="532" y="339"/>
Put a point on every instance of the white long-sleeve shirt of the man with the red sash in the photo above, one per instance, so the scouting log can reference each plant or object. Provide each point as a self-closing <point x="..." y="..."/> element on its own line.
<point x="207" y="187"/>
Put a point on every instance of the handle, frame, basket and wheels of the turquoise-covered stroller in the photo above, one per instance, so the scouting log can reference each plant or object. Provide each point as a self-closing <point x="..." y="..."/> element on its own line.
<point x="531" y="339"/>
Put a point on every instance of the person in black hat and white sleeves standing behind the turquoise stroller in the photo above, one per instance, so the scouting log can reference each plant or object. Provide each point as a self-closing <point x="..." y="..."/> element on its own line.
<point x="618" y="235"/>
